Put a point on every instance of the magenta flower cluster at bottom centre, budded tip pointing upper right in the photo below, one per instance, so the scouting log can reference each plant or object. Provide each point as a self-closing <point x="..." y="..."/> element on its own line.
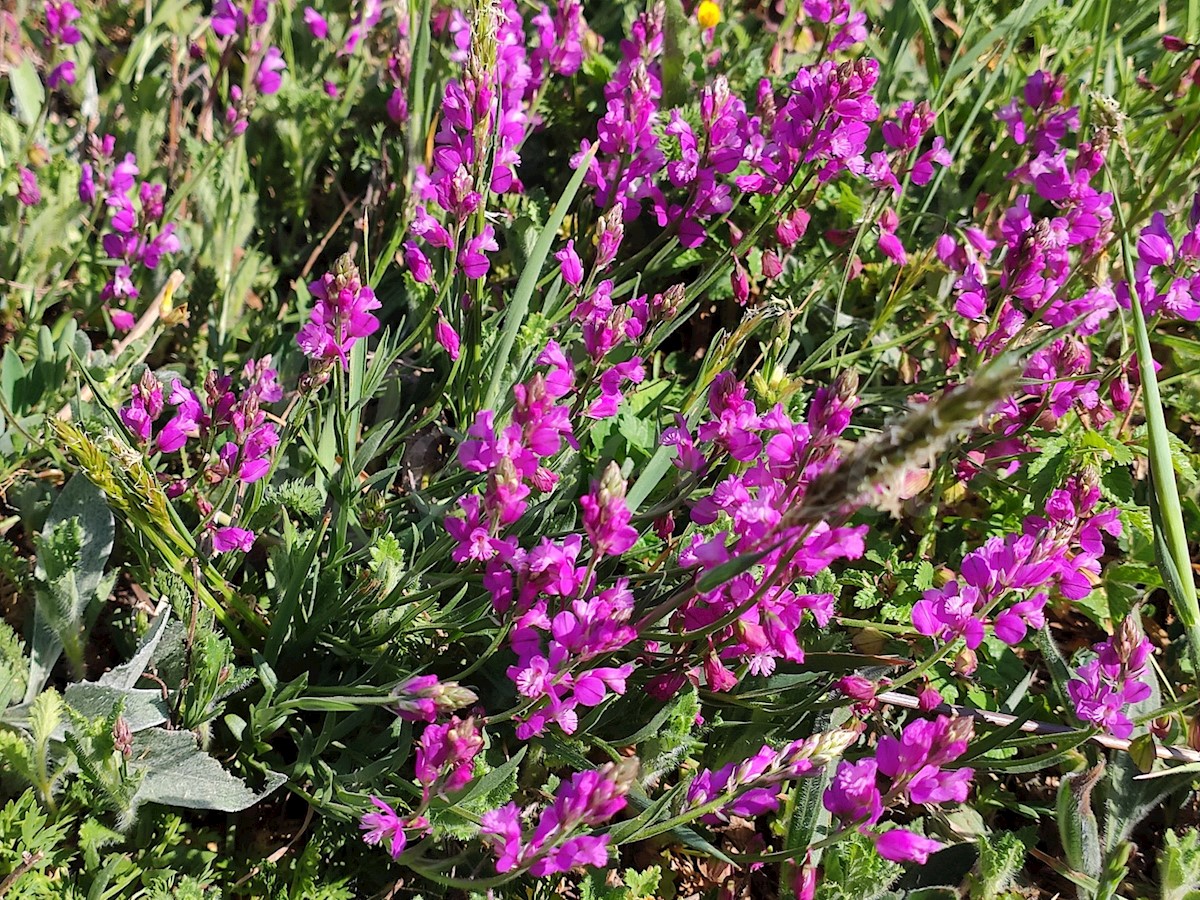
<point x="559" y="843"/>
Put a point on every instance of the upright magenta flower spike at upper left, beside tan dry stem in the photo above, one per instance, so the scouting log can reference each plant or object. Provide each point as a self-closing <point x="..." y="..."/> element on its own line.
<point x="137" y="237"/>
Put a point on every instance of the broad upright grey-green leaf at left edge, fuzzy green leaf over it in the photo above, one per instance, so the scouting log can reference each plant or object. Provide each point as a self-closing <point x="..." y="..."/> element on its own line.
<point x="70" y="579"/>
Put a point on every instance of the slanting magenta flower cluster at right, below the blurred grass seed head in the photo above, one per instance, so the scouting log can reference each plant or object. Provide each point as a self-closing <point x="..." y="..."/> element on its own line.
<point x="1060" y="551"/>
